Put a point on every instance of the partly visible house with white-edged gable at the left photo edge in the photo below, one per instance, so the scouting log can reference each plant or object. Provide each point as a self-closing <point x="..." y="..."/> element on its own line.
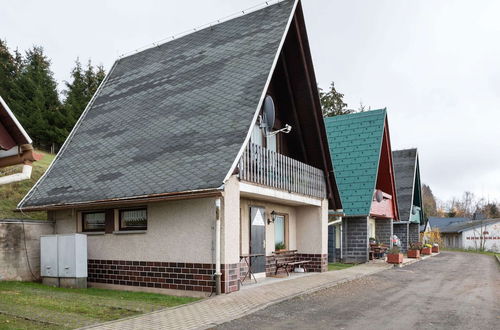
<point x="15" y="147"/>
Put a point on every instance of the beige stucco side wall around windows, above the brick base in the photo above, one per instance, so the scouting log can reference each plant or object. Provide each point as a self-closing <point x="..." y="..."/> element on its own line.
<point x="178" y="231"/>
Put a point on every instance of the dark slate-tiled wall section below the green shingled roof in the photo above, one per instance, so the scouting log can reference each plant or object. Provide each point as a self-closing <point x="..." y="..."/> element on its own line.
<point x="355" y="239"/>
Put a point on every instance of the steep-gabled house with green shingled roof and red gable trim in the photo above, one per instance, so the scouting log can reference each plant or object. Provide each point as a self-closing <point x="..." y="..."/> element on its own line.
<point x="360" y="149"/>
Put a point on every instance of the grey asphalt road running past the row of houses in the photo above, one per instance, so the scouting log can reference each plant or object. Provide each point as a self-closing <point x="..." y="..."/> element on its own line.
<point x="453" y="290"/>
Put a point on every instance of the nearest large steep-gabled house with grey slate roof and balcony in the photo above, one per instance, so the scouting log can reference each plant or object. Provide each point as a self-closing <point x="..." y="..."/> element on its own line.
<point x="199" y="158"/>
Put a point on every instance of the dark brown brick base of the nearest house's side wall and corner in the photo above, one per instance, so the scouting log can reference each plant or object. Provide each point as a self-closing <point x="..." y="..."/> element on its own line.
<point x="163" y="275"/>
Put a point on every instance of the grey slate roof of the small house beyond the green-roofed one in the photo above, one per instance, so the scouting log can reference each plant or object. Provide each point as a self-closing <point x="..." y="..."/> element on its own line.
<point x="405" y="166"/>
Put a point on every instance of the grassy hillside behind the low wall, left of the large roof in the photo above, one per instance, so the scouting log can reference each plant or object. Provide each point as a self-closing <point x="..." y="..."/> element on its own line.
<point x="11" y="194"/>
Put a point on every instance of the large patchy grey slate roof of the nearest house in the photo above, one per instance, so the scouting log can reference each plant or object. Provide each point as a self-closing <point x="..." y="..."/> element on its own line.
<point x="171" y="118"/>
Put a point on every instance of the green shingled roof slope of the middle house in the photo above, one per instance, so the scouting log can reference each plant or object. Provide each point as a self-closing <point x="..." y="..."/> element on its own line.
<point x="355" y="142"/>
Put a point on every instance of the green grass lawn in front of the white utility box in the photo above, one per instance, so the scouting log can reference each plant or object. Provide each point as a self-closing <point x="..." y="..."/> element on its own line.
<point x="27" y="305"/>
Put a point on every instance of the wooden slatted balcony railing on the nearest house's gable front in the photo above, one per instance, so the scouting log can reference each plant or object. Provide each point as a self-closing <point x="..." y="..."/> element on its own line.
<point x="262" y="166"/>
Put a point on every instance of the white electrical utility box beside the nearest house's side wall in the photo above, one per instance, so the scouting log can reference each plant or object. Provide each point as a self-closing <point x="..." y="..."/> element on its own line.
<point x="63" y="260"/>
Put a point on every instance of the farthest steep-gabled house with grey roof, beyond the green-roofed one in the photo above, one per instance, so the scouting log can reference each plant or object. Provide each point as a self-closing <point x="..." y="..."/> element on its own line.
<point x="409" y="191"/>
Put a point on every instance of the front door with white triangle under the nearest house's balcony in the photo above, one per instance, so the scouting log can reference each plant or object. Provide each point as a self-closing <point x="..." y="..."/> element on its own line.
<point x="258" y="239"/>
